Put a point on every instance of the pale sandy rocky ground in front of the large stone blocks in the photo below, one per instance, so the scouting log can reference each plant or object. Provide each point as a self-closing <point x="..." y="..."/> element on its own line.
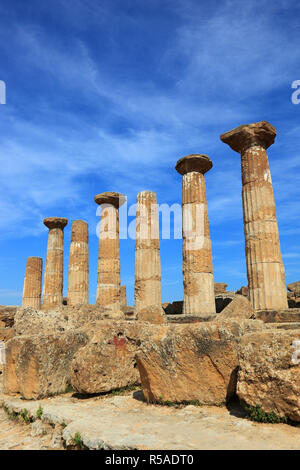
<point x="127" y="422"/>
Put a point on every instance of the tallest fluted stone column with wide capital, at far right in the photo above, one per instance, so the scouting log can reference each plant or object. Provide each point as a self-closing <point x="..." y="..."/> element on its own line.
<point x="265" y="269"/>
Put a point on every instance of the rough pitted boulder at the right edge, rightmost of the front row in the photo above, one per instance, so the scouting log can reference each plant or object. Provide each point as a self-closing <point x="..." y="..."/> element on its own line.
<point x="269" y="373"/>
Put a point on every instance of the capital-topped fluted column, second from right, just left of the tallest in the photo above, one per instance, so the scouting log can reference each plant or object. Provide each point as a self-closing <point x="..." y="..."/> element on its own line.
<point x="198" y="279"/>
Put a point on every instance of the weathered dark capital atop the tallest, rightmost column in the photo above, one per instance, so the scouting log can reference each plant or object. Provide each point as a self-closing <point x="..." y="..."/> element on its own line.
<point x="248" y="135"/>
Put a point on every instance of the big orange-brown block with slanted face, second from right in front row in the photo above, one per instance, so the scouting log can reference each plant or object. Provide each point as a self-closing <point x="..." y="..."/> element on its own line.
<point x="192" y="362"/>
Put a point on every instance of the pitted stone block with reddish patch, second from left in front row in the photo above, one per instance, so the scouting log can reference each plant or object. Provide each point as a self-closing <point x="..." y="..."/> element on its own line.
<point x="108" y="360"/>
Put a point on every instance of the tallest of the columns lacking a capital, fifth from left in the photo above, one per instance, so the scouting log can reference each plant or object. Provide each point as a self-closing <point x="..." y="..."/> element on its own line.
<point x="147" y="289"/>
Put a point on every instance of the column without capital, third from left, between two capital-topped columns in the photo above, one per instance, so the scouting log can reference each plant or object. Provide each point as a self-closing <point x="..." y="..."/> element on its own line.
<point x="78" y="279"/>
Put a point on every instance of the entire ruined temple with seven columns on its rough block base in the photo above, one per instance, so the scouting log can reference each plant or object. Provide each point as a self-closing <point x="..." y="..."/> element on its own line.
<point x="211" y="347"/>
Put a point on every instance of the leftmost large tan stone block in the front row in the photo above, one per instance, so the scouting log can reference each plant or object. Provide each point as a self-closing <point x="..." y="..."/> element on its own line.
<point x="39" y="366"/>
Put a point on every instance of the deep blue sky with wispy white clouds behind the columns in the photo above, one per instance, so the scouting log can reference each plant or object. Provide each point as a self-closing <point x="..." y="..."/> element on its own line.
<point x="106" y="95"/>
